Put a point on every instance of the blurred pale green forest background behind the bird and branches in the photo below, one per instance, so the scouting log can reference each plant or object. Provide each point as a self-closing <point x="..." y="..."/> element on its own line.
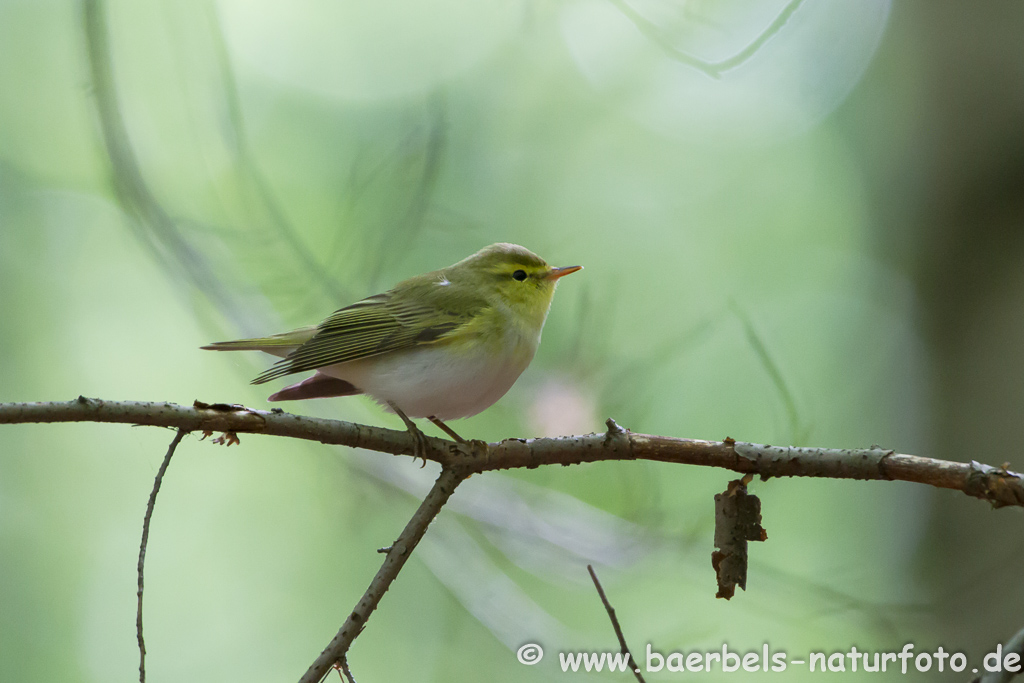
<point x="819" y="242"/>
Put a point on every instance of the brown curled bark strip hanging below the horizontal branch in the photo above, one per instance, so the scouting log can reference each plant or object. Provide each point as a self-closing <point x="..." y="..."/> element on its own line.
<point x="738" y="520"/>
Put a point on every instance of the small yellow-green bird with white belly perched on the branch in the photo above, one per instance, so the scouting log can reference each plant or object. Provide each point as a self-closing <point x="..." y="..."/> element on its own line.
<point x="443" y="346"/>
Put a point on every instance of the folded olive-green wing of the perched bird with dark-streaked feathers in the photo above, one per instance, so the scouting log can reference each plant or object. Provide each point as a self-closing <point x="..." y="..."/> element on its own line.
<point x="376" y="325"/>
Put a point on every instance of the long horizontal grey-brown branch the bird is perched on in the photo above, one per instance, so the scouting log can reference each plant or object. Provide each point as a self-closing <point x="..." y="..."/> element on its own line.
<point x="999" y="486"/>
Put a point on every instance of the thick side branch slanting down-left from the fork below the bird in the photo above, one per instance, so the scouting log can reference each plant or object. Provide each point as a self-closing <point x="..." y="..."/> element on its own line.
<point x="335" y="653"/>
